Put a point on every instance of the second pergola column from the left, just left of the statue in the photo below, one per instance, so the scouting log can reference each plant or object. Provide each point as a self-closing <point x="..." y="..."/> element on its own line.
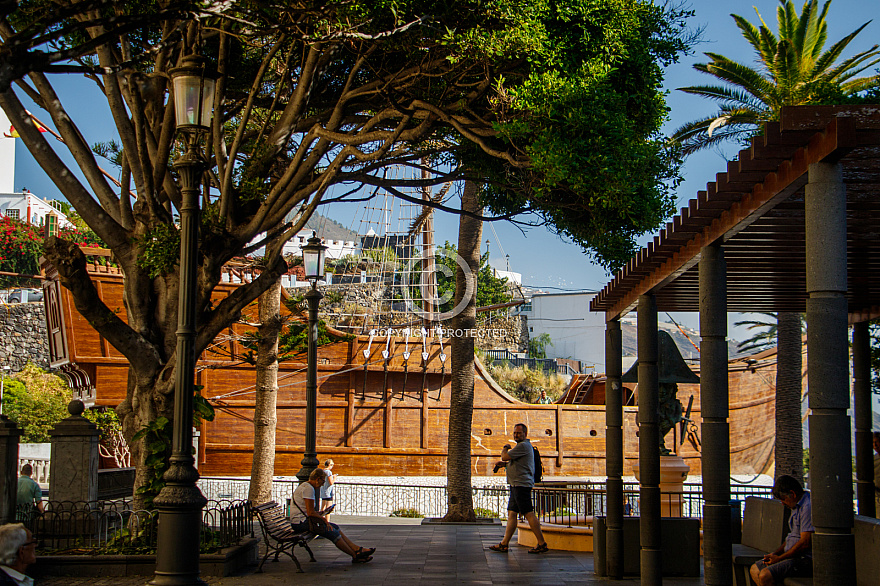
<point x="649" y="442"/>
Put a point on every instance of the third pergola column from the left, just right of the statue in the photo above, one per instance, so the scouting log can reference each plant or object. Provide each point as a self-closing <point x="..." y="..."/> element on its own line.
<point x="714" y="394"/>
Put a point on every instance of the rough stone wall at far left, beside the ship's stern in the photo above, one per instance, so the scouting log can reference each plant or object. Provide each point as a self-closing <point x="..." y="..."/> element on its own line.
<point x="23" y="336"/>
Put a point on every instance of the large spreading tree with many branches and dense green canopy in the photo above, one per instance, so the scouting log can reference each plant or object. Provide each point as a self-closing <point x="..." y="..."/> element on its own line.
<point x="558" y="107"/>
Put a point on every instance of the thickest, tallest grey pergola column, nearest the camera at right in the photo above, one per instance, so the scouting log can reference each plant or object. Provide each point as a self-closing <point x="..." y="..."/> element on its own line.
<point x="828" y="376"/>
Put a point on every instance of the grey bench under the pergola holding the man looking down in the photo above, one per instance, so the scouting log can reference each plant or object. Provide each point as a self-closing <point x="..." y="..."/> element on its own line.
<point x="765" y="525"/>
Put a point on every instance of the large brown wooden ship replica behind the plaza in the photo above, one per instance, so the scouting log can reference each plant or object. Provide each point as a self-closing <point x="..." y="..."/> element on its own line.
<point x="389" y="417"/>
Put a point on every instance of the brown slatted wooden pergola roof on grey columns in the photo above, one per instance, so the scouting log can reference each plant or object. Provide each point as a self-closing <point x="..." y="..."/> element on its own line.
<point x="763" y="229"/>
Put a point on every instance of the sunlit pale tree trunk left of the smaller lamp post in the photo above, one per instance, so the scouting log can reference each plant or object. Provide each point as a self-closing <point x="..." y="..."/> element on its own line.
<point x="265" y="420"/>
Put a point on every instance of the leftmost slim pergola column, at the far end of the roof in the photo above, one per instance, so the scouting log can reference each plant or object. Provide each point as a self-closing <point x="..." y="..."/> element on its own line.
<point x="614" y="450"/>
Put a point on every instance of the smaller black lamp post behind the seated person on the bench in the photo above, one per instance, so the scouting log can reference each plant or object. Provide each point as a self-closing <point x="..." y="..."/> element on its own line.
<point x="313" y="262"/>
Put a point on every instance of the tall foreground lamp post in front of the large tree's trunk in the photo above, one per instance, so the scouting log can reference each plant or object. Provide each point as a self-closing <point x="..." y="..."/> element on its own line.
<point x="180" y="502"/>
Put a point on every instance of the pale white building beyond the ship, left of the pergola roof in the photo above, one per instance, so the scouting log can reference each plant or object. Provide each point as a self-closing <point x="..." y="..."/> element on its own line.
<point x="575" y="331"/>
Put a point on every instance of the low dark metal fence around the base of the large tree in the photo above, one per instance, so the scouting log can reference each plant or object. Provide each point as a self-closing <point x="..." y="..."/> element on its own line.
<point x="114" y="527"/>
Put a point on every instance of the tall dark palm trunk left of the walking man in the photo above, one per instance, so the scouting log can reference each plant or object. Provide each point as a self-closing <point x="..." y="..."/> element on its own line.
<point x="461" y="409"/>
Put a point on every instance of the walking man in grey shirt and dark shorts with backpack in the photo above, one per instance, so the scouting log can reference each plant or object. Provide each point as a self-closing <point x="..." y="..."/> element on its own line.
<point x="521" y="467"/>
